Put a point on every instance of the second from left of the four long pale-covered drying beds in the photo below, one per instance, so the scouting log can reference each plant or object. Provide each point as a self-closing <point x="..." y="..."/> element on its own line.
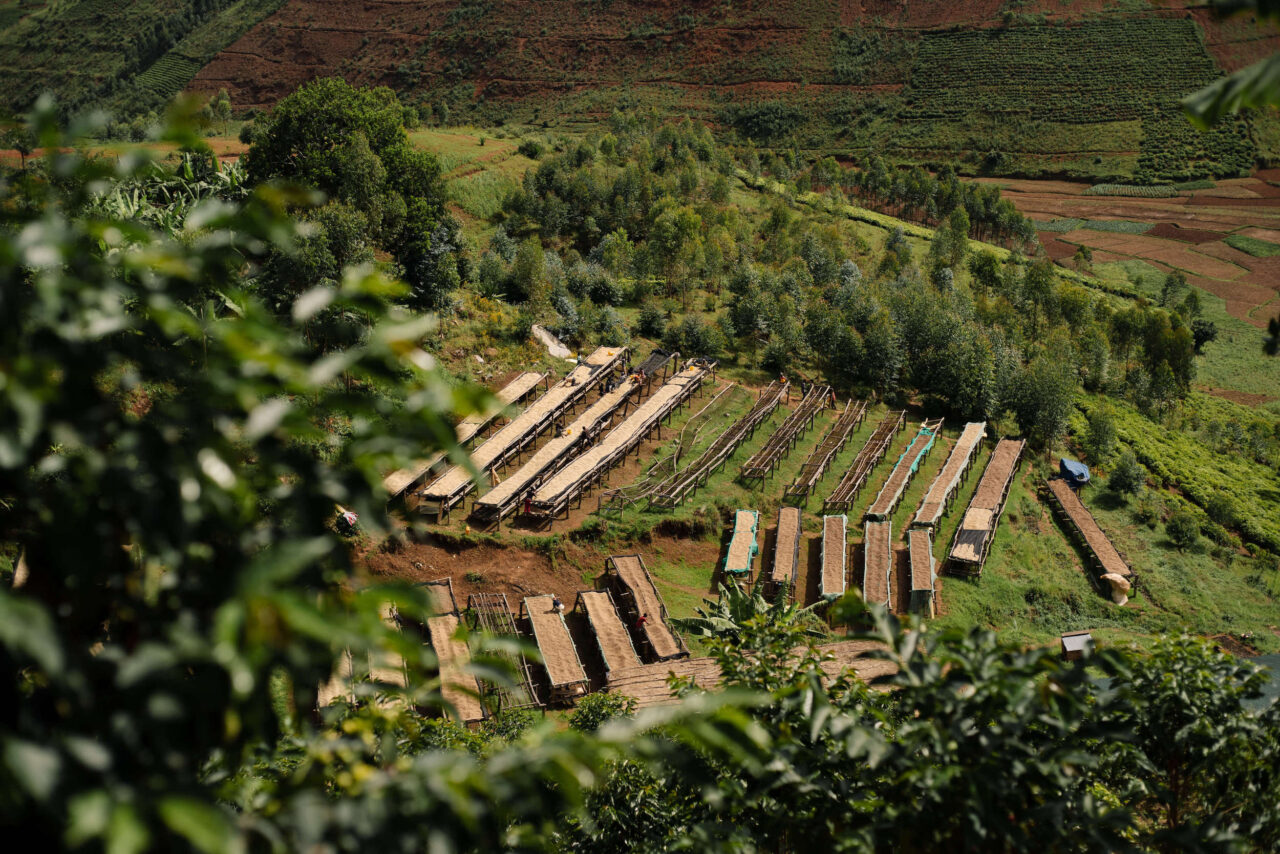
<point x="455" y="485"/>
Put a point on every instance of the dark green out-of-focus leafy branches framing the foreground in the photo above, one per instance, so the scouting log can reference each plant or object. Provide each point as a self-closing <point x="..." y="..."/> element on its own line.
<point x="170" y="473"/>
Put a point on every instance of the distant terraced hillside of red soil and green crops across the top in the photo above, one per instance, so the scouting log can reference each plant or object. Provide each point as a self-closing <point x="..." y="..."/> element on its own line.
<point x="996" y="88"/>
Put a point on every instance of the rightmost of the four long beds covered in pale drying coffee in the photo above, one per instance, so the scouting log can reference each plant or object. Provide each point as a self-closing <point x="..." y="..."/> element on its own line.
<point x="589" y="468"/>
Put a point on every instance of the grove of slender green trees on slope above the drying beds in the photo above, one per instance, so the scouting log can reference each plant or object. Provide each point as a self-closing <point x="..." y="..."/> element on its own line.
<point x="647" y="207"/>
